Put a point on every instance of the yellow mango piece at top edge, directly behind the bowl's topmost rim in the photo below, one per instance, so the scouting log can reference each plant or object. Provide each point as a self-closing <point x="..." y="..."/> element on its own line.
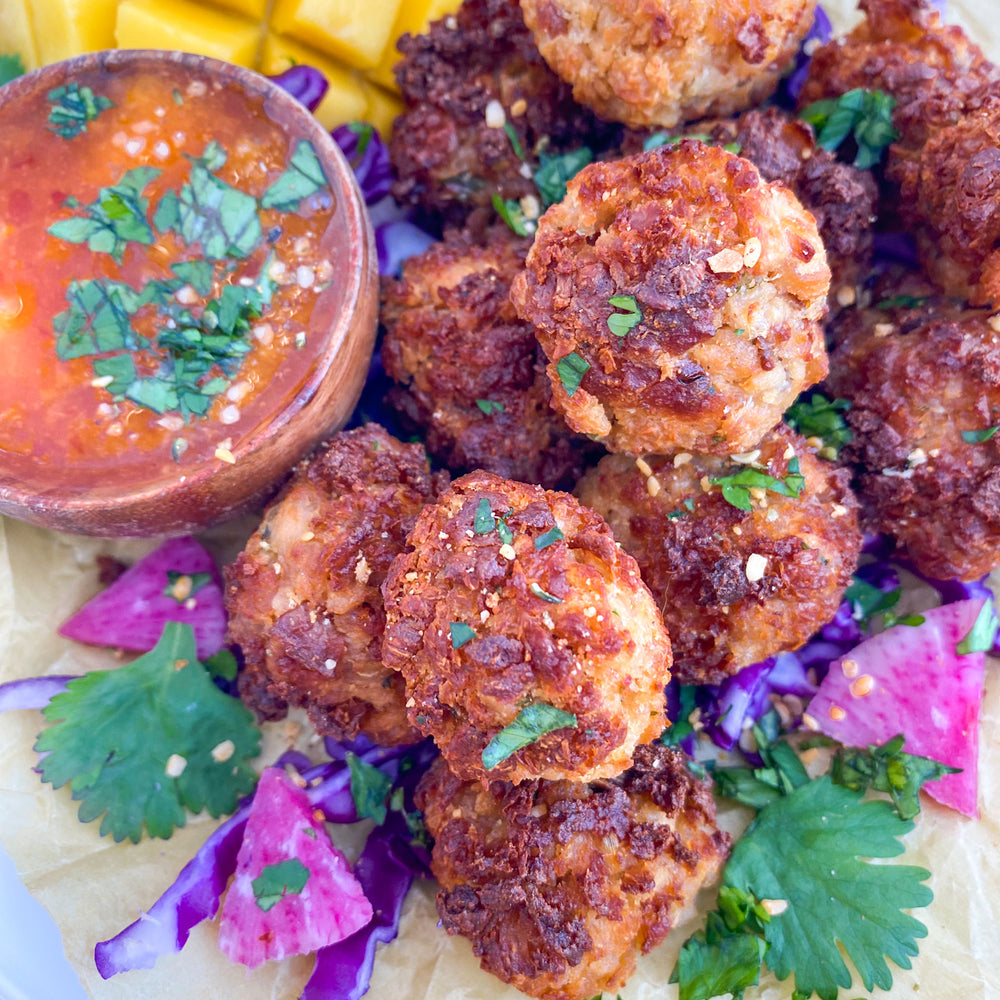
<point x="186" y="26"/>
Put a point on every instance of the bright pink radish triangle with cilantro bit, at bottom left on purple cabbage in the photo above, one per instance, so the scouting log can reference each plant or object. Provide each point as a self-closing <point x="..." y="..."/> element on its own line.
<point x="293" y="891"/>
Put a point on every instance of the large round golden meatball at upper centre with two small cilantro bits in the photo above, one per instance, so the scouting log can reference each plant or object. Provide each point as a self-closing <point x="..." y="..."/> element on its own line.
<point x="677" y="296"/>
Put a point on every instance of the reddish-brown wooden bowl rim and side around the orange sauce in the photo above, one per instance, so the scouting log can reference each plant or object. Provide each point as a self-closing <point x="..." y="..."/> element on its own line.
<point x="213" y="492"/>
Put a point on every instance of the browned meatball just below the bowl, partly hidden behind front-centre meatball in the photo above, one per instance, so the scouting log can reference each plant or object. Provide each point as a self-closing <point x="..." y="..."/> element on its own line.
<point x="303" y="597"/>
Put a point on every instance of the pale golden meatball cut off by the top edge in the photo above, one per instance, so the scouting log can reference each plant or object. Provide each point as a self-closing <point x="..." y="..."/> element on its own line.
<point x="660" y="62"/>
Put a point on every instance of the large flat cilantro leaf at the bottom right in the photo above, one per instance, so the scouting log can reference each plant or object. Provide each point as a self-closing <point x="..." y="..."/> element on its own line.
<point x="806" y="849"/>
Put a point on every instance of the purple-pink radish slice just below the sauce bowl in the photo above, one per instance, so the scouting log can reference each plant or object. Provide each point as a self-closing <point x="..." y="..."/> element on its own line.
<point x="131" y="613"/>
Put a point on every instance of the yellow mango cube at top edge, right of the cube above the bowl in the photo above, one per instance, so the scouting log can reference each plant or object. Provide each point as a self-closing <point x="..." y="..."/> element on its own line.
<point x="356" y="31"/>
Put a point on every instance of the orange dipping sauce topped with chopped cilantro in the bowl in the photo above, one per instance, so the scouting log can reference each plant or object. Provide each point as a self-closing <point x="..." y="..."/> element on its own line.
<point x="166" y="249"/>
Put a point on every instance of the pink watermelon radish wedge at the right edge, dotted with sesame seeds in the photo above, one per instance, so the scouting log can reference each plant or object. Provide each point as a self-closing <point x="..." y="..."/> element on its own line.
<point x="912" y="680"/>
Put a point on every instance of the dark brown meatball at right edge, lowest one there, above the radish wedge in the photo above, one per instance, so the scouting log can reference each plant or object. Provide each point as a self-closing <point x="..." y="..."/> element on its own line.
<point x="919" y="376"/>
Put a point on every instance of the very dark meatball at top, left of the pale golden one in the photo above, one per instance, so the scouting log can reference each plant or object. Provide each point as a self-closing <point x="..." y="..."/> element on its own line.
<point x="465" y="82"/>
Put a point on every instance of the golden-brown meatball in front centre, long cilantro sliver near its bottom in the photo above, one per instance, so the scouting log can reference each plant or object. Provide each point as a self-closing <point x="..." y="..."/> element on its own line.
<point x="515" y="614"/>
